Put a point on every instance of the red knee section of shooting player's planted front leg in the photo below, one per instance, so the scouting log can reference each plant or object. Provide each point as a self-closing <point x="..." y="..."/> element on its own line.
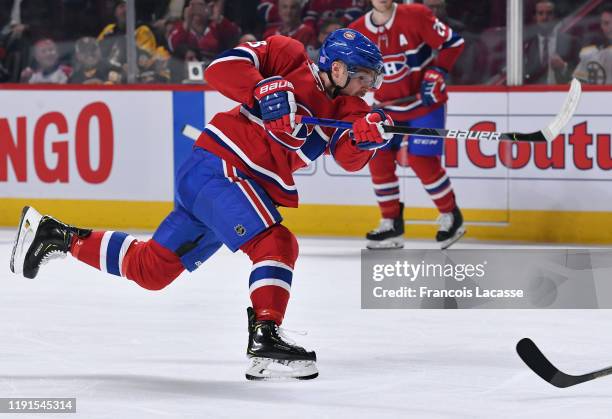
<point x="276" y="243"/>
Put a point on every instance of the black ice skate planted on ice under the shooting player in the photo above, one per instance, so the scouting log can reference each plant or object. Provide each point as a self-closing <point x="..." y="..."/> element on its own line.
<point x="273" y="358"/>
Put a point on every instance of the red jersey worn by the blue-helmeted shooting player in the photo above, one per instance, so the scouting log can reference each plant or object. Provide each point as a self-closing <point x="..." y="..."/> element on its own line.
<point x="238" y="136"/>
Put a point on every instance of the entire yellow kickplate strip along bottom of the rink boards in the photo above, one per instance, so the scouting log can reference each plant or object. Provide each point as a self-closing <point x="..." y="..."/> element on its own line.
<point x="338" y="220"/>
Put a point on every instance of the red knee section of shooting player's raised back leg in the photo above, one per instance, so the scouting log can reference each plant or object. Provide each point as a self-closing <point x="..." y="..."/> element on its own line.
<point x="151" y="265"/>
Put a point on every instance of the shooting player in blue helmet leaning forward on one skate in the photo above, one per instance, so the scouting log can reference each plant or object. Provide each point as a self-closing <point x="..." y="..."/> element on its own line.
<point x="240" y="170"/>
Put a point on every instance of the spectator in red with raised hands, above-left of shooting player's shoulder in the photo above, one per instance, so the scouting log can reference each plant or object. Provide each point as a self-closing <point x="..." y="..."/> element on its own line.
<point x="204" y="27"/>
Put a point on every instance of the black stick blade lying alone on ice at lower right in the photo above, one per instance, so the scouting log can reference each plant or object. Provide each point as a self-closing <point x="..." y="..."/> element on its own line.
<point x="535" y="359"/>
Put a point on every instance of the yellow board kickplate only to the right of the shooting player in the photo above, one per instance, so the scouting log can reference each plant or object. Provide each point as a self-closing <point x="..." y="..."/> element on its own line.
<point x="513" y="225"/>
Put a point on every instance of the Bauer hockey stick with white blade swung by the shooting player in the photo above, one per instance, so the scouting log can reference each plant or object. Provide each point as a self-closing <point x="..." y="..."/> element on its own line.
<point x="549" y="133"/>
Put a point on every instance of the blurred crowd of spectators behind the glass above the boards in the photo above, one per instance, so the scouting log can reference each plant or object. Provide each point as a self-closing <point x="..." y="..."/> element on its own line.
<point x="84" y="42"/>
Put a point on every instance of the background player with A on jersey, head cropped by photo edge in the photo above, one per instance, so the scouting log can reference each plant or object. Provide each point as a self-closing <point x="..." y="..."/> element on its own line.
<point x="419" y="51"/>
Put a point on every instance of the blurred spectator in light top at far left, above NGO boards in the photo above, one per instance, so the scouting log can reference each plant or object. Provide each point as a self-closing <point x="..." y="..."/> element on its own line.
<point x="46" y="68"/>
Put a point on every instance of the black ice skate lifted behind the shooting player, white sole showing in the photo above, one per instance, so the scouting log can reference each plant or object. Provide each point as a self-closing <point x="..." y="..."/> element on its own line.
<point x="40" y="239"/>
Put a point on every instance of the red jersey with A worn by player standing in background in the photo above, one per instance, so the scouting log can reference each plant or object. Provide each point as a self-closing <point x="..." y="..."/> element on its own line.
<point x="410" y="41"/>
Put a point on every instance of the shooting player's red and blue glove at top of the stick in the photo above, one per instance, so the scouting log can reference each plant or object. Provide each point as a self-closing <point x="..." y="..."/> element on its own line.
<point x="277" y="103"/>
